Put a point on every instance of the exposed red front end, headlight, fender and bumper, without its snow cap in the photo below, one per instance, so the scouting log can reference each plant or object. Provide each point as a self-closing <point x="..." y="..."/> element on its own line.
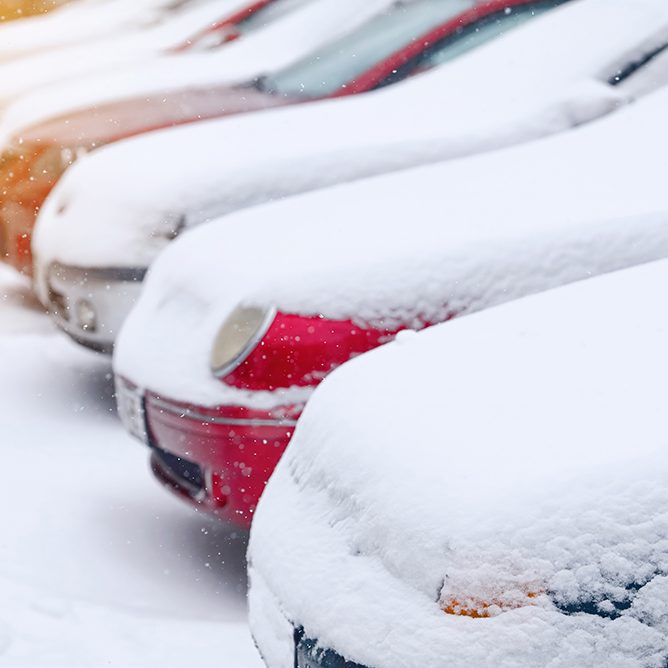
<point x="220" y="457"/>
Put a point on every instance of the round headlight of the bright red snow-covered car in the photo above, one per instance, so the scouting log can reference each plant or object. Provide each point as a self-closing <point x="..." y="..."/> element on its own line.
<point x="240" y="333"/>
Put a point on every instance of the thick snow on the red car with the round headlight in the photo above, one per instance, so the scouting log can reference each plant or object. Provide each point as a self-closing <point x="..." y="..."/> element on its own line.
<point x="411" y="247"/>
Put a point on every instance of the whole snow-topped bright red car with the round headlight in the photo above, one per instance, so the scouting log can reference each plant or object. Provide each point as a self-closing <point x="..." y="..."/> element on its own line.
<point x="242" y="318"/>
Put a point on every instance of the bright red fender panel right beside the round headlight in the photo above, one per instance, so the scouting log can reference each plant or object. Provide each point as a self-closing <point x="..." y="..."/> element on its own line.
<point x="301" y="350"/>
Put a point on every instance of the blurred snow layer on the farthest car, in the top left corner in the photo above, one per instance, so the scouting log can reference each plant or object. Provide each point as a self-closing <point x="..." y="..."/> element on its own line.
<point x="78" y="21"/>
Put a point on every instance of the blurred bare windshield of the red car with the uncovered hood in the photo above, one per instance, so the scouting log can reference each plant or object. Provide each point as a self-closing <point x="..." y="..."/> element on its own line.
<point x="326" y="70"/>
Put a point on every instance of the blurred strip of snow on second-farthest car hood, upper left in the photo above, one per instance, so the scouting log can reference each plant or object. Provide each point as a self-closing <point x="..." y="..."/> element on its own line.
<point x="24" y="75"/>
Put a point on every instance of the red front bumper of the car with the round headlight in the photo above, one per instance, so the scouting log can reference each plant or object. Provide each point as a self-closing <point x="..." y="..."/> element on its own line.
<point x="218" y="459"/>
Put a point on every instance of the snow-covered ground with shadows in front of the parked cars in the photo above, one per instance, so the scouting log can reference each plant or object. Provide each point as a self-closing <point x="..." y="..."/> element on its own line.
<point x="98" y="566"/>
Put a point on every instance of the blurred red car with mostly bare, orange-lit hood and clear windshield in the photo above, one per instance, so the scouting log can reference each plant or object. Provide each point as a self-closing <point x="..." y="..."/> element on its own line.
<point x="397" y="43"/>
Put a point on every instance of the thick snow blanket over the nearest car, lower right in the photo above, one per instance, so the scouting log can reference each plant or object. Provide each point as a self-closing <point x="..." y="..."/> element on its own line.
<point x="517" y="450"/>
